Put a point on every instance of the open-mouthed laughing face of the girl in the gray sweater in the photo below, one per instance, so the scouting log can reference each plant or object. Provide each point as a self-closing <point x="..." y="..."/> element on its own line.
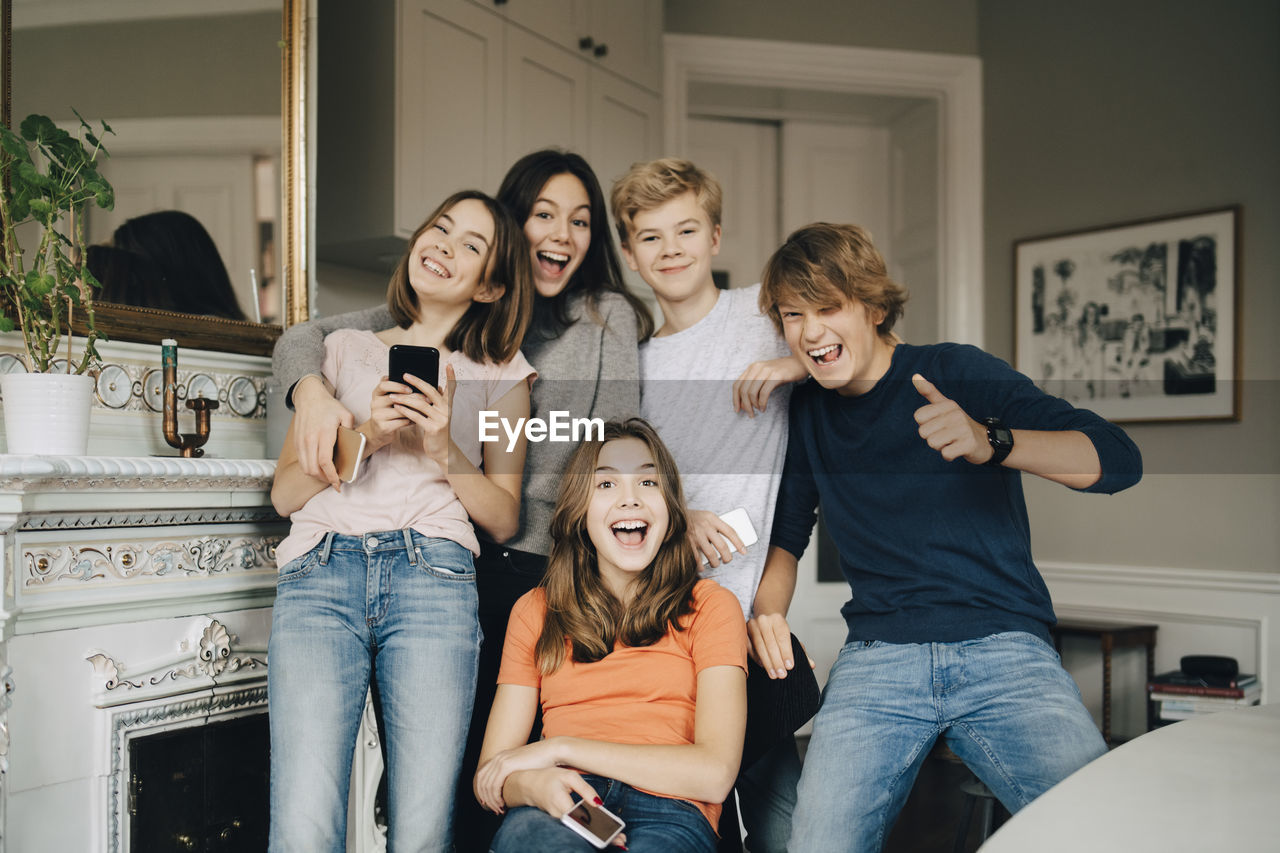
<point x="560" y="232"/>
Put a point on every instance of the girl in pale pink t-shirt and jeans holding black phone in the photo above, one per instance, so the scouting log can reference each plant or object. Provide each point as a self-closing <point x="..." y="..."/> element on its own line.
<point x="383" y="569"/>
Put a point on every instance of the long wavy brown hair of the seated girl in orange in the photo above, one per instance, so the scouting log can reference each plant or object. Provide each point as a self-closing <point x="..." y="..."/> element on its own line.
<point x="580" y="609"/>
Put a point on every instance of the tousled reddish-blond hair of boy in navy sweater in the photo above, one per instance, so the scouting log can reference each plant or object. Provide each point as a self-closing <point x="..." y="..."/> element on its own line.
<point x="821" y="263"/>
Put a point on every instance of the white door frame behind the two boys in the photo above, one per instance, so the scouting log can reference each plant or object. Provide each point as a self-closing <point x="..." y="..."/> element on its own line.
<point x="953" y="81"/>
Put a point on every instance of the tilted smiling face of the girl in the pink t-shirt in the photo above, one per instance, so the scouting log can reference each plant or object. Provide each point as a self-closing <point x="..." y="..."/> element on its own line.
<point x="450" y="258"/>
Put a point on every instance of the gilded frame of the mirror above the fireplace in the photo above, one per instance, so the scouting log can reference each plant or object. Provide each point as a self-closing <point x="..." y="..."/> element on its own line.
<point x="150" y="326"/>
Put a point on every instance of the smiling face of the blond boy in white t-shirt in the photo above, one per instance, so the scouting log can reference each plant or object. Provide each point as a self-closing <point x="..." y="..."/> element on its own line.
<point x="673" y="247"/>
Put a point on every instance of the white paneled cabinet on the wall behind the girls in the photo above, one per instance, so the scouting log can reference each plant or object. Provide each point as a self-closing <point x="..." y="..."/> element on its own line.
<point x="446" y="95"/>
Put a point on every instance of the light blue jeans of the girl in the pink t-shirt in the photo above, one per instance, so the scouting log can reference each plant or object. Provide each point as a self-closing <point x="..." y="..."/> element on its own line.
<point x="409" y="603"/>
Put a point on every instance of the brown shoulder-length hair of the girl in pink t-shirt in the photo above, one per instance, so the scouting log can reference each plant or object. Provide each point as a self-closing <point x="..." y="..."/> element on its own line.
<point x="488" y="331"/>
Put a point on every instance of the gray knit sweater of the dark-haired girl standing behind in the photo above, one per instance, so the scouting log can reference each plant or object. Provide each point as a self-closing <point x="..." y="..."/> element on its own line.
<point x="589" y="371"/>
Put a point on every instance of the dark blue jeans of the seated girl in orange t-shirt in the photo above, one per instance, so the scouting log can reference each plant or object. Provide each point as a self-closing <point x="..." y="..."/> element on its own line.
<point x="653" y="825"/>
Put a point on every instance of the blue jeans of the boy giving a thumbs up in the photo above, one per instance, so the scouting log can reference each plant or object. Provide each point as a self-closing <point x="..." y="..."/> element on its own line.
<point x="1005" y="705"/>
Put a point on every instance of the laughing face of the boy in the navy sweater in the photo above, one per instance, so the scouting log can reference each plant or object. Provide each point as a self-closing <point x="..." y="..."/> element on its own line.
<point x="838" y="343"/>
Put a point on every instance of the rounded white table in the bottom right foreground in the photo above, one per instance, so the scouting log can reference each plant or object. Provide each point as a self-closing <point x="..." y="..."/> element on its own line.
<point x="1212" y="783"/>
